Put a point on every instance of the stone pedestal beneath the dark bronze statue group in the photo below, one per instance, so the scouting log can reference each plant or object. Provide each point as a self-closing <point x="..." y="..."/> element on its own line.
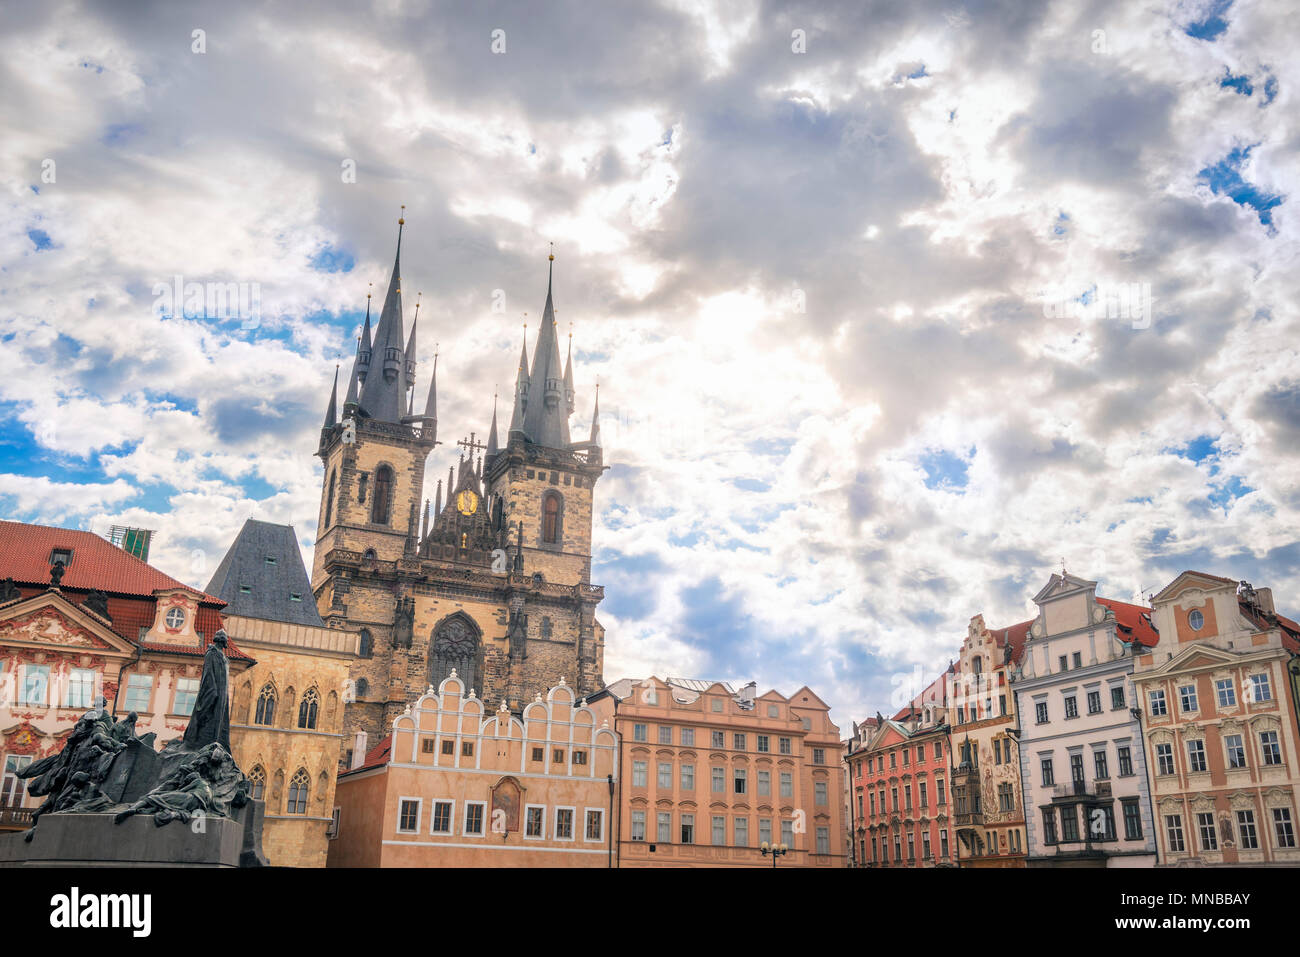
<point x="94" y="841"/>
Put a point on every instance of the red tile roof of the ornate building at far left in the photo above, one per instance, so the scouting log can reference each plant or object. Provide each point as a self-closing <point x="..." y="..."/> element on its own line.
<point x="97" y="562"/>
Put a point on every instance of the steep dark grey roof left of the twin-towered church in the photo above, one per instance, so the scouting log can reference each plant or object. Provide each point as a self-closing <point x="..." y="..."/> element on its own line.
<point x="262" y="573"/>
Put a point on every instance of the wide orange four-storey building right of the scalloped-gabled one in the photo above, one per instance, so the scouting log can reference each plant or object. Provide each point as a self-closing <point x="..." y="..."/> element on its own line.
<point x="709" y="776"/>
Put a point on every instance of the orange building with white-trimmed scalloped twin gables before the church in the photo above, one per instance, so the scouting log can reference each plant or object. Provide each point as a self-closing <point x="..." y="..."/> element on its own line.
<point x="460" y="785"/>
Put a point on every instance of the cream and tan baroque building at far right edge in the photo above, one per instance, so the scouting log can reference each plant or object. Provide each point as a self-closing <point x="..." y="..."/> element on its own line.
<point x="1221" y="724"/>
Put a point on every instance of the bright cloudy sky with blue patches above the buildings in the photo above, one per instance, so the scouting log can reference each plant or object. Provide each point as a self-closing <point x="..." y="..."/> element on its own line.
<point x="894" y="306"/>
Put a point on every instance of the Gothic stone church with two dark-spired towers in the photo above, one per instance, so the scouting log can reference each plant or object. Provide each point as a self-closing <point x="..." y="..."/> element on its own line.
<point x="492" y="581"/>
